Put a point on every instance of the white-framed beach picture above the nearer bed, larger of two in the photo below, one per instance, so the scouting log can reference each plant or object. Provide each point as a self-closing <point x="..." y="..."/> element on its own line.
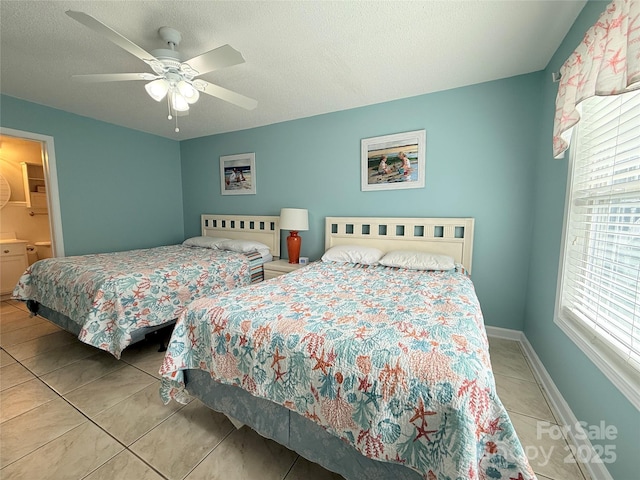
<point x="393" y="162"/>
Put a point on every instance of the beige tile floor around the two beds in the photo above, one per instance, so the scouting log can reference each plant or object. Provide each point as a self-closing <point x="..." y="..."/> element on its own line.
<point x="68" y="410"/>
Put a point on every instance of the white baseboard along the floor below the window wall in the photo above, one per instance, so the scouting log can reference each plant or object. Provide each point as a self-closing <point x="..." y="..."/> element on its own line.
<point x="558" y="403"/>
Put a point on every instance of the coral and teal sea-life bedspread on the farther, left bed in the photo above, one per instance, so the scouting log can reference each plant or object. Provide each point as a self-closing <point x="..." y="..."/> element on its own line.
<point x="112" y="294"/>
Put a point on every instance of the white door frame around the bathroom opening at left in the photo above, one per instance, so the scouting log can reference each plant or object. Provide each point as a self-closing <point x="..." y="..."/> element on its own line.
<point x="51" y="180"/>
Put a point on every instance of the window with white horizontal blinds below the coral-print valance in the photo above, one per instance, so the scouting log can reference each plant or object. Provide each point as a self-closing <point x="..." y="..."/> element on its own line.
<point x="598" y="303"/>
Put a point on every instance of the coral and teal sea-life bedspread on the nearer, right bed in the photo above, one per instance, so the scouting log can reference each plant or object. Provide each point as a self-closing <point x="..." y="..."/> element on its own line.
<point x="394" y="362"/>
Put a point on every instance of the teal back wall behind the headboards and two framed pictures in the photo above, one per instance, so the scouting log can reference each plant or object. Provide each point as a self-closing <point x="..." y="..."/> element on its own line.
<point x="481" y="144"/>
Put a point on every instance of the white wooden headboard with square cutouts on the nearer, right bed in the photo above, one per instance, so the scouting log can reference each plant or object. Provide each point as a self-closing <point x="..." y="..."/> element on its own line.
<point x="445" y="236"/>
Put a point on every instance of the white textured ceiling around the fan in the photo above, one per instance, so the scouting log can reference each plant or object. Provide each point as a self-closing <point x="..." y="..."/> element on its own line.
<point x="303" y="58"/>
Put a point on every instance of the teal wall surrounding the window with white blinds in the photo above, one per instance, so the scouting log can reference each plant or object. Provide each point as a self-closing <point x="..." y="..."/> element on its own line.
<point x="589" y="393"/>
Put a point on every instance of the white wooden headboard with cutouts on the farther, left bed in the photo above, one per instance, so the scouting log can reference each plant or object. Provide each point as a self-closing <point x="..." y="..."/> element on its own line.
<point x="264" y="229"/>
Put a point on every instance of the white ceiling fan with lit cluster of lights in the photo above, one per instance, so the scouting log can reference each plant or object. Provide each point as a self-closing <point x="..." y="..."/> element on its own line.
<point x="173" y="78"/>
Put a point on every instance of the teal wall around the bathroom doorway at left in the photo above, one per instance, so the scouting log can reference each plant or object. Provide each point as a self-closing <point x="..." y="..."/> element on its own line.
<point x="119" y="188"/>
